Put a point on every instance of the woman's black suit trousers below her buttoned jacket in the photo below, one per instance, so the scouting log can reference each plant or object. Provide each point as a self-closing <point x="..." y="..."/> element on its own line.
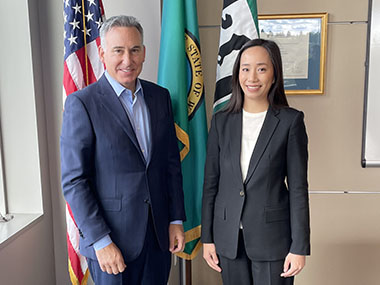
<point x="244" y="271"/>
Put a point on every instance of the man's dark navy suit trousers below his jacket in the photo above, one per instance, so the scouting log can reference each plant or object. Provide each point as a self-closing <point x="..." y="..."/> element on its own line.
<point x="152" y="267"/>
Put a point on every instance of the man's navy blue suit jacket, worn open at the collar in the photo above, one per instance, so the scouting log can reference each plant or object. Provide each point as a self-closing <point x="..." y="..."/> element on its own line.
<point x="105" y="179"/>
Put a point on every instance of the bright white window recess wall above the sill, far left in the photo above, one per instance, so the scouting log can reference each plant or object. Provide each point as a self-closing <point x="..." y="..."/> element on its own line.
<point x="18" y="114"/>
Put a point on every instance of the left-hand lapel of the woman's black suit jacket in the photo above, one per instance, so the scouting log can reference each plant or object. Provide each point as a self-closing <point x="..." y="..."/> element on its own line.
<point x="235" y="145"/>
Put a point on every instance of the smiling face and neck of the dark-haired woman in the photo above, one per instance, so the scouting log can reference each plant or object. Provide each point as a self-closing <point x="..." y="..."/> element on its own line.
<point x="256" y="75"/>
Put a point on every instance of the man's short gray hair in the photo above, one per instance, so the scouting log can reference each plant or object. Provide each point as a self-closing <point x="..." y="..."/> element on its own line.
<point x="119" y="21"/>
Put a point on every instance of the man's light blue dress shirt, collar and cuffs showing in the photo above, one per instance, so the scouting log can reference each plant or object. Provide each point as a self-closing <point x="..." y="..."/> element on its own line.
<point x="138" y="115"/>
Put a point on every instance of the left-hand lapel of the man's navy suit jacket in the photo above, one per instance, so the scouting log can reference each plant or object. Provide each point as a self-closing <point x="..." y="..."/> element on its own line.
<point x="112" y="104"/>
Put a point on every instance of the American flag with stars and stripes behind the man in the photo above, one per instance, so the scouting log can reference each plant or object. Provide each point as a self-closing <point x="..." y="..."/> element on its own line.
<point x="82" y="66"/>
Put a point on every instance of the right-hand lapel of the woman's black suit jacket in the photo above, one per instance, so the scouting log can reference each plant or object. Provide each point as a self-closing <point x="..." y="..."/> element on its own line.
<point x="267" y="130"/>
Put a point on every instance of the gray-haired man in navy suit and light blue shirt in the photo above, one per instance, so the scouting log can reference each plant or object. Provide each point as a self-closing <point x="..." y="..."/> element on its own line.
<point x="121" y="171"/>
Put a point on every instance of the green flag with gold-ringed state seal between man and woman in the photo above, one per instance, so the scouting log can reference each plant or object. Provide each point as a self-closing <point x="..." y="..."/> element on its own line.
<point x="180" y="71"/>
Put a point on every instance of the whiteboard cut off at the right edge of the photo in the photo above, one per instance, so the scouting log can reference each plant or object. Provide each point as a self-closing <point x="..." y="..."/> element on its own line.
<point x="371" y="122"/>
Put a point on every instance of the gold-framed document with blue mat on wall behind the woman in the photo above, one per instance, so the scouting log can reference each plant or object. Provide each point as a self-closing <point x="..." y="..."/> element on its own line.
<point x="302" y="41"/>
